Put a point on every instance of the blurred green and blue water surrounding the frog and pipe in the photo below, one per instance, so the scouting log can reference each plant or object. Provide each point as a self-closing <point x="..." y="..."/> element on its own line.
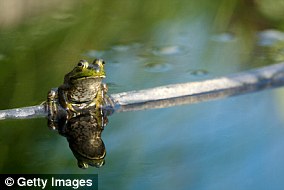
<point x="235" y="143"/>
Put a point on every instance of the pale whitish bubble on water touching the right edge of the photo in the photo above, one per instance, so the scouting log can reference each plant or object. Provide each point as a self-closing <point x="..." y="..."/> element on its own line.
<point x="270" y="37"/>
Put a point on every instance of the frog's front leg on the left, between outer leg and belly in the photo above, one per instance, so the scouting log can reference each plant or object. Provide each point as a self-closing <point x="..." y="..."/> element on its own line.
<point x="63" y="100"/>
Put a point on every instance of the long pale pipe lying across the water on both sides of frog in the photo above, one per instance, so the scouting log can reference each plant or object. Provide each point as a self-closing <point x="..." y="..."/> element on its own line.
<point x="177" y="94"/>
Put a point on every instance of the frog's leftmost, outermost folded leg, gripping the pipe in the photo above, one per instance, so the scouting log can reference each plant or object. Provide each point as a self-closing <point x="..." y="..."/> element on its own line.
<point x="52" y="109"/>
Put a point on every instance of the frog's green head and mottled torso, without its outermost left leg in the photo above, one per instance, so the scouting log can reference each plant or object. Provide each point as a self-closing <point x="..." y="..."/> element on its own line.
<point x="83" y="86"/>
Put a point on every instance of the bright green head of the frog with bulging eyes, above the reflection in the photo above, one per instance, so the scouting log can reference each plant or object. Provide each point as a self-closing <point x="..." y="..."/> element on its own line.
<point x="86" y="70"/>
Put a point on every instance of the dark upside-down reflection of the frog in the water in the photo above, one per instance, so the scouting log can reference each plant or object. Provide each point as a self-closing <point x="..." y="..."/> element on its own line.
<point x="83" y="133"/>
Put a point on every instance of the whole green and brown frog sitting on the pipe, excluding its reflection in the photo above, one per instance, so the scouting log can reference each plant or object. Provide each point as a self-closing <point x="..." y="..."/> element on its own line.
<point x="82" y="90"/>
